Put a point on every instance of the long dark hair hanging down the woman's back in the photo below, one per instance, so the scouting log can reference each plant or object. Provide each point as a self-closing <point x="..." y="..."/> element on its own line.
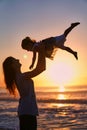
<point x="9" y="75"/>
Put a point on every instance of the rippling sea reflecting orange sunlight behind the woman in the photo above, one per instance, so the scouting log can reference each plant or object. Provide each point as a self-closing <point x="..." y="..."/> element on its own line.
<point x="59" y="109"/>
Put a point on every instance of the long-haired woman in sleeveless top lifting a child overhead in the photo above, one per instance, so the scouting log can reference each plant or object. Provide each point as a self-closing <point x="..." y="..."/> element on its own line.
<point x="14" y="78"/>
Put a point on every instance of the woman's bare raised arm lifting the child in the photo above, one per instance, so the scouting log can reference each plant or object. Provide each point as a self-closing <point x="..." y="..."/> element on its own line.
<point x="41" y="63"/>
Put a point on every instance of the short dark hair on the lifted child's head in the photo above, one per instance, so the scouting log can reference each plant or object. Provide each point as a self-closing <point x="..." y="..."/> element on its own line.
<point x="27" y="41"/>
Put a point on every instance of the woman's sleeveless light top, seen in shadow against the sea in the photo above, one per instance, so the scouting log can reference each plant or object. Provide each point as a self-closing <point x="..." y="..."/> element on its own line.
<point x="27" y="101"/>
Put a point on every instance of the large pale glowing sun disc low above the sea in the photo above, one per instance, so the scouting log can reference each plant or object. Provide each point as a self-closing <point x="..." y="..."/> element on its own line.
<point x="61" y="73"/>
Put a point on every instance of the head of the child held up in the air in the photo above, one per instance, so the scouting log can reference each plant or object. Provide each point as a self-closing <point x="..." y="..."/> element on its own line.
<point x="27" y="43"/>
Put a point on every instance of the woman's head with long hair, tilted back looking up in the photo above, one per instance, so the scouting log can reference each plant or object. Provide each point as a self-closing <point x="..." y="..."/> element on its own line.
<point x="10" y="66"/>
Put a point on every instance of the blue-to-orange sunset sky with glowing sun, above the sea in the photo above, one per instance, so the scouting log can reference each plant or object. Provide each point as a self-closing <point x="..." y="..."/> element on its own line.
<point x="40" y="19"/>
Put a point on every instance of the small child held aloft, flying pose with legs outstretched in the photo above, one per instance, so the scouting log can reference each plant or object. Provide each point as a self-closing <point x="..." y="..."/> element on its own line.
<point x="51" y="44"/>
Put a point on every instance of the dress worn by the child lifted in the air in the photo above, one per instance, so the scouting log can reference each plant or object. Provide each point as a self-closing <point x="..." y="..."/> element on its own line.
<point x="51" y="45"/>
